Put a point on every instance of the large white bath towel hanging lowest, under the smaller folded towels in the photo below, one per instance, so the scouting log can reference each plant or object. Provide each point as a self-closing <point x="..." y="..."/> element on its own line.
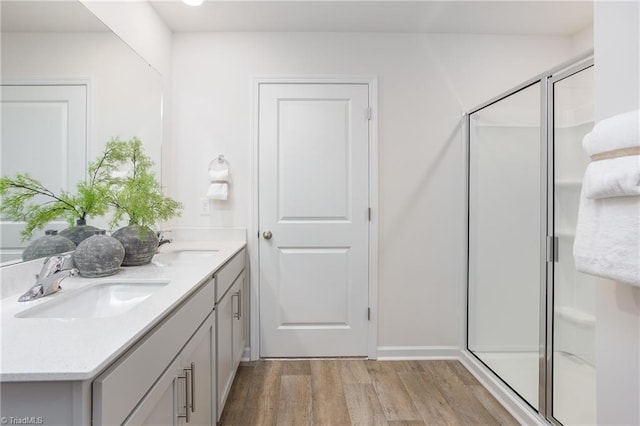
<point x="607" y="242"/>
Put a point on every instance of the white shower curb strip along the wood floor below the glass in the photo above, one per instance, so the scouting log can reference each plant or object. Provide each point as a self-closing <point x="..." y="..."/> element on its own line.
<point x="514" y="405"/>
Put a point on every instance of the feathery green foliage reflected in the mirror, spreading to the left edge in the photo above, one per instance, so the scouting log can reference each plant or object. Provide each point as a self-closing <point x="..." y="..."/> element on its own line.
<point x="20" y="196"/>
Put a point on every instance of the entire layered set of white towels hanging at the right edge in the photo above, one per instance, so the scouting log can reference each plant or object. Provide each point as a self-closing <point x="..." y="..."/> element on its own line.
<point x="607" y="242"/>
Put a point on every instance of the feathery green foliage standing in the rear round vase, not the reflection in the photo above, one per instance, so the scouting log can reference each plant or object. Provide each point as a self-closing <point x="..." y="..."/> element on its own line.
<point x="137" y="195"/>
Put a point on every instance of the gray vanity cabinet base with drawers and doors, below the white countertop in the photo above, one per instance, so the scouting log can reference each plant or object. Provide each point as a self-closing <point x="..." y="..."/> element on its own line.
<point x="170" y="372"/>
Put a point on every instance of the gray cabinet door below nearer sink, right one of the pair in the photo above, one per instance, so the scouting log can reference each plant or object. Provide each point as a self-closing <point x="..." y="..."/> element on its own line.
<point x="197" y="362"/>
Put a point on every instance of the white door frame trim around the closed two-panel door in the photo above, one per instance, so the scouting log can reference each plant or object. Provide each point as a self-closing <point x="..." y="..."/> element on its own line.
<point x="254" y="219"/>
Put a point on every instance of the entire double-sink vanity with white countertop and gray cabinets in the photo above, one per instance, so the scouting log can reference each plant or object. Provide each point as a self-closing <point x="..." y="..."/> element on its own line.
<point x="161" y="345"/>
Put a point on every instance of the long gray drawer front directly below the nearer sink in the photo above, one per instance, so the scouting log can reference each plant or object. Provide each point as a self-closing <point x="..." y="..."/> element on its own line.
<point x="118" y="390"/>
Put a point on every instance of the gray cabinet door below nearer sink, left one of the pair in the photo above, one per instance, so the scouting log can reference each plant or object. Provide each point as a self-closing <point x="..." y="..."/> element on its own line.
<point x="158" y="407"/>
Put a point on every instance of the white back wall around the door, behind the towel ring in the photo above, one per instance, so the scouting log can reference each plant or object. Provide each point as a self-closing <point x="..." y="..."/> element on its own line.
<point x="425" y="83"/>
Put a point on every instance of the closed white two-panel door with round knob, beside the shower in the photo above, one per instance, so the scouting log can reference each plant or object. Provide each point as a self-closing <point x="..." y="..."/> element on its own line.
<point x="314" y="199"/>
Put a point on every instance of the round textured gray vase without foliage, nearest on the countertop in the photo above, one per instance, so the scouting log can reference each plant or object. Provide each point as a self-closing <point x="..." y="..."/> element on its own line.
<point x="98" y="256"/>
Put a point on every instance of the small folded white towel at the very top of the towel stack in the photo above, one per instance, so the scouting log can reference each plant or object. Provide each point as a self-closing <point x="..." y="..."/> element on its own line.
<point x="620" y="131"/>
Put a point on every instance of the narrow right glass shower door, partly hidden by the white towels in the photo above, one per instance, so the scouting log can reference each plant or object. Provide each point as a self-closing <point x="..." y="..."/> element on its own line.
<point x="574" y="389"/>
